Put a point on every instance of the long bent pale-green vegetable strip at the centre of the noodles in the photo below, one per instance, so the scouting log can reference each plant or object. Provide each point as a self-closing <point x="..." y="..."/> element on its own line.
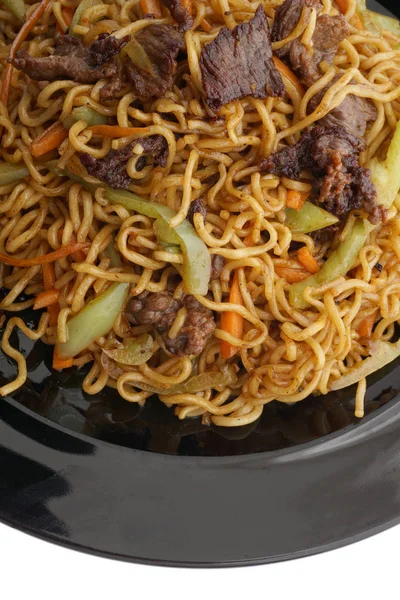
<point x="196" y="258"/>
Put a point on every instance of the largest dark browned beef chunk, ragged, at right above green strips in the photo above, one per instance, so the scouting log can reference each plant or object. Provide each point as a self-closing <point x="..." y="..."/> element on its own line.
<point x="332" y="155"/>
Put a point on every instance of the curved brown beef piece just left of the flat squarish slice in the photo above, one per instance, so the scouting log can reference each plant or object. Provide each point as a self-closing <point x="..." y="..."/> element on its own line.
<point x="162" y="44"/>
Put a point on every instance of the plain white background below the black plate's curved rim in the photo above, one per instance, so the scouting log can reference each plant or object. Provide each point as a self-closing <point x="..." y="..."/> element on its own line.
<point x="34" y="570"/>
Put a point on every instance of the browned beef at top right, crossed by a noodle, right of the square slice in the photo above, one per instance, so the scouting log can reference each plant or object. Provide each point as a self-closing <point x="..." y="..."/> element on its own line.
<point x="329" y="32"/>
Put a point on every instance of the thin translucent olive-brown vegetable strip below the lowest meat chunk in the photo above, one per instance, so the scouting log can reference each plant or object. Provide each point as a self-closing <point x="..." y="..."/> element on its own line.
<point x="197" y="383"/>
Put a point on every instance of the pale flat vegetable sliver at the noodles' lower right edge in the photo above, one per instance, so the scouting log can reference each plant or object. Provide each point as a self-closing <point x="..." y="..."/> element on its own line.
<point x="382" y="353"/>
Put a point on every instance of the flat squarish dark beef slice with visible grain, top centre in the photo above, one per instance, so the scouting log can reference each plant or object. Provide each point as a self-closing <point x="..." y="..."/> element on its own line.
<point x="239" y="63"/>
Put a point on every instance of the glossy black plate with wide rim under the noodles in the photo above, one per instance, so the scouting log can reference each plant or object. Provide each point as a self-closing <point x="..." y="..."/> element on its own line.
<point x="99" y="475"/>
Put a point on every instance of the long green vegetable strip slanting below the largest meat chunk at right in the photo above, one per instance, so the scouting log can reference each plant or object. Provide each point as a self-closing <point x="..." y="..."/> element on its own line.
<point x="339" y="263"/>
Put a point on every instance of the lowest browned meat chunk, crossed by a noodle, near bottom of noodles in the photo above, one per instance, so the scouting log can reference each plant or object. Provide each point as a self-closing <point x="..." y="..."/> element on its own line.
<point x="160" y="309"/>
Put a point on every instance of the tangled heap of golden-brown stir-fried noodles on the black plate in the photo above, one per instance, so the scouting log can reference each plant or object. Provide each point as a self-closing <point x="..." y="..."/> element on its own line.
<point x="281" y="350"/>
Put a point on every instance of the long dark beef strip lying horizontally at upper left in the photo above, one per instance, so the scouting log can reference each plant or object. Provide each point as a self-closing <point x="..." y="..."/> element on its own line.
<point x="73" y="60"/>
